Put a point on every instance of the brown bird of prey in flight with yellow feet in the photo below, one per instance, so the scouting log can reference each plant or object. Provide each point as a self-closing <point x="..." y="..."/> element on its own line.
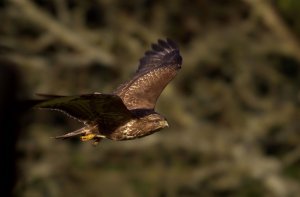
<point x="129" y="112"/>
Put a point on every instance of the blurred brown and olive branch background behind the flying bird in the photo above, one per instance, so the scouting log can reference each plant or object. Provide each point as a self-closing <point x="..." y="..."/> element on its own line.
<point x="233" y="109"/>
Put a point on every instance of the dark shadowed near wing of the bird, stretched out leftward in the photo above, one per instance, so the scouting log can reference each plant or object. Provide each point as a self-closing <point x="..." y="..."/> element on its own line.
<point x="105" y="109"/>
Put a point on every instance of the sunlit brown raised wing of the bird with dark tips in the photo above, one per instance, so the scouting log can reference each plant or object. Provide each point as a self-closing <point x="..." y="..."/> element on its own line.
<point x="156" y="69"/>
